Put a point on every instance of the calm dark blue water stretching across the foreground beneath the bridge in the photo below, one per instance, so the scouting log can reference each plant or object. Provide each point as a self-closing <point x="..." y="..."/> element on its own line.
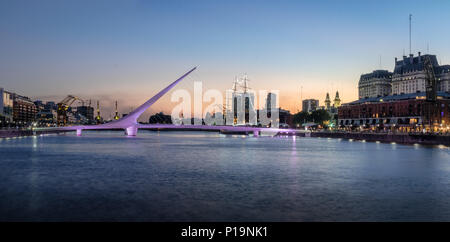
<point x="200" y="176"/>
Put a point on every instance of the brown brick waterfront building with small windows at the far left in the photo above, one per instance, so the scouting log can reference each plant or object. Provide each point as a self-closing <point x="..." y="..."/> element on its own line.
<point x="24" y="110"/>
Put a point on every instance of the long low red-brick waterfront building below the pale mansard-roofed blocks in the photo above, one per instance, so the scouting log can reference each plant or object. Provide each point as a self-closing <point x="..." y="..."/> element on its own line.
<point x="405" y="112"/>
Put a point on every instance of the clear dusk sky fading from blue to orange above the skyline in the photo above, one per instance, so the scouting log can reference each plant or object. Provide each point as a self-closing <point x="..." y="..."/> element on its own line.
<point x="128" y="50"/>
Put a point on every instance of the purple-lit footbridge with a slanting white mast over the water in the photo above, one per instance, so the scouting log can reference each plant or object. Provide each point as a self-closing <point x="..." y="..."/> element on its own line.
<point x="130" y="124"/>
